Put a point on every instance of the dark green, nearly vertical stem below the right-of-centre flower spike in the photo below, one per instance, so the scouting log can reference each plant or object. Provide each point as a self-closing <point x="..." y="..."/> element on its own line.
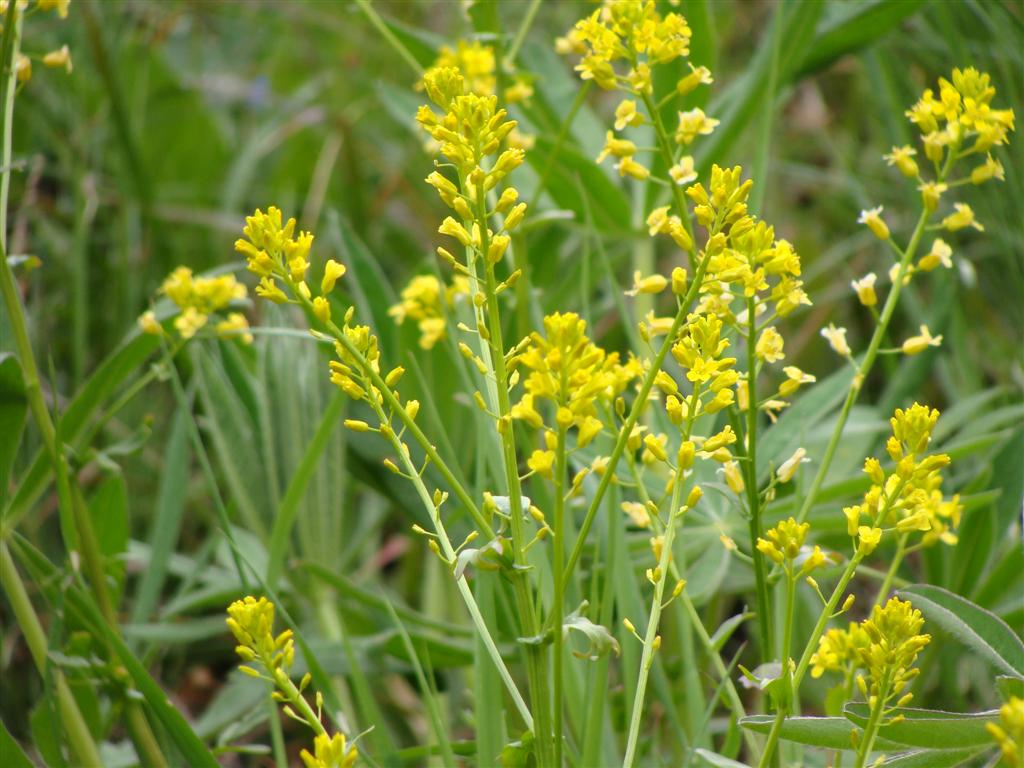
<point x="753" y="498"/>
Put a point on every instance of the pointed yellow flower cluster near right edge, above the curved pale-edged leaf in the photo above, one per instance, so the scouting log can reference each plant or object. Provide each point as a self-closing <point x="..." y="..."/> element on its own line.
<point x="909" y="498"/>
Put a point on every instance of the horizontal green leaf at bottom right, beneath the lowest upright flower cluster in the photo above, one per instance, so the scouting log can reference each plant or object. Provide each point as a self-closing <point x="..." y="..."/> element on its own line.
<point x="929" y="729"/>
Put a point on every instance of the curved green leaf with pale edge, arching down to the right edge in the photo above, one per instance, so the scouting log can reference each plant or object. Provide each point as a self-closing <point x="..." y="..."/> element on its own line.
<point x="976" y="628"/>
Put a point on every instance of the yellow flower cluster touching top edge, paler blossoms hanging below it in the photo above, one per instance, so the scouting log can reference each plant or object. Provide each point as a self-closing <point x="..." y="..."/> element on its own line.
<point x="635" y="33"/>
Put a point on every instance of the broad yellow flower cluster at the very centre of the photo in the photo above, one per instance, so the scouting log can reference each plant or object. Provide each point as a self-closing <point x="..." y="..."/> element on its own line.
<point x="571" y="372"/>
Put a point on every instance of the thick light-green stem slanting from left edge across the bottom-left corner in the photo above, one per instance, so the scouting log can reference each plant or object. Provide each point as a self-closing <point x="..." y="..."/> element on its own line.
<point x="79" y="738"/>
